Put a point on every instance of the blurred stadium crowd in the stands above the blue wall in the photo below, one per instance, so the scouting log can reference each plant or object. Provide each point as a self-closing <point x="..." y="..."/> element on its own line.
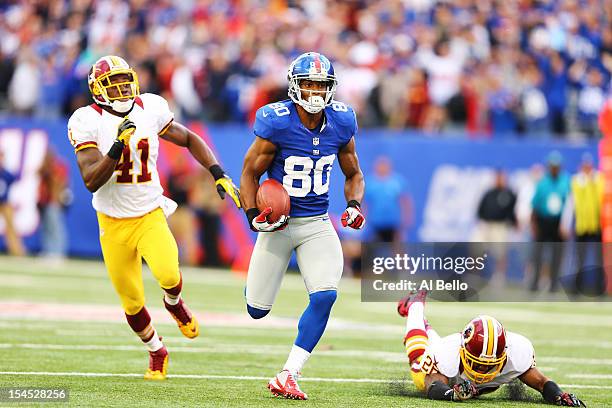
<point x="485" y="67"/>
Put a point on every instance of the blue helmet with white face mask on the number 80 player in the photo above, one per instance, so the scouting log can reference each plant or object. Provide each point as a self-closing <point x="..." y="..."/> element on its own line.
<point x="314" y="67"/>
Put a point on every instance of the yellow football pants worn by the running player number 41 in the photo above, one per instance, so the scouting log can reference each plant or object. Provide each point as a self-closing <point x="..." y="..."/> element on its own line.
<point x="125" y="241"/>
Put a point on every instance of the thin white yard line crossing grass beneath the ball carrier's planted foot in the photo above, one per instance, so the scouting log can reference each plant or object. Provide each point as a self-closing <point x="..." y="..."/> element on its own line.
<point x="247" y="378"/>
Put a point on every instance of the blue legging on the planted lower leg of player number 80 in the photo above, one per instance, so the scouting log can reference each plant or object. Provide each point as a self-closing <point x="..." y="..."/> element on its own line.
<point x="314" y="319"/>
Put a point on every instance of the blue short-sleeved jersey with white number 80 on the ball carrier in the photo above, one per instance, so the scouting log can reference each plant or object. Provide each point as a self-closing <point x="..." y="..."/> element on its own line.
<point x="304" y="158"/>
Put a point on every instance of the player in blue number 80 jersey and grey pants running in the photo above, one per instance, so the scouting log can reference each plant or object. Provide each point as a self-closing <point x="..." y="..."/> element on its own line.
<point x="297" y="142"/>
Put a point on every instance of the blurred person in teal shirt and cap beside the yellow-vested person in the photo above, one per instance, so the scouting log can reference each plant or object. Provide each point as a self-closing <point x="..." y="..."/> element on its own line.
<point x="547" y="206"/>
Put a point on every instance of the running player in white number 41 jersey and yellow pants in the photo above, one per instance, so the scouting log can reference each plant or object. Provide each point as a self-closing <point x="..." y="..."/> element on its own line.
<point x="116" y="141"/>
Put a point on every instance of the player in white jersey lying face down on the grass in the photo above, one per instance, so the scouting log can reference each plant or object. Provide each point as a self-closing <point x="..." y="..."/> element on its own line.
<point x="476" y="361"/>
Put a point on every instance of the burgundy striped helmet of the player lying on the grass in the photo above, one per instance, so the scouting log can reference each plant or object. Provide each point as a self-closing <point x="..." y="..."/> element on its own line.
<point x="483" y="349"/>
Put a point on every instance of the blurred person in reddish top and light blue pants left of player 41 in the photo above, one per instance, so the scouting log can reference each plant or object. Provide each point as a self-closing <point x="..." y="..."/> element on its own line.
<point x="54" y="197"/>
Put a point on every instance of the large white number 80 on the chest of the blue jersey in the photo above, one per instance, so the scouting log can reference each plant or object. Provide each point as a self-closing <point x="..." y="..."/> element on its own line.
<point x="308" y="182"/>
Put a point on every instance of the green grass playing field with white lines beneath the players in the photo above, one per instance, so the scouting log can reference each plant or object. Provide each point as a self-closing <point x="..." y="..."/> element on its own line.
<point x="63" y="327"/>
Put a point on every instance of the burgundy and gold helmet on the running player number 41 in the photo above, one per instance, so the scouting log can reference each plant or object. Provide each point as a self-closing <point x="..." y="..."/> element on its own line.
<point x="113" y="83"/>
